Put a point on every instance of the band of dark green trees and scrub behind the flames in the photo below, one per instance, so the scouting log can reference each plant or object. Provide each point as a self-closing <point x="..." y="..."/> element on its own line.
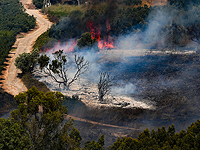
<point x="123" y="17"/>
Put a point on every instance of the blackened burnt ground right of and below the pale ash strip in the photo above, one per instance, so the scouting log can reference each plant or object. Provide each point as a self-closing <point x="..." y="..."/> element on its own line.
<point x="170" y="81"/>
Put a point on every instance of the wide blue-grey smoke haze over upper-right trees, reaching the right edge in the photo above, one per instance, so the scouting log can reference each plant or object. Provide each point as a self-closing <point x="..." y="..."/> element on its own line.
<point x="161" y="24"/>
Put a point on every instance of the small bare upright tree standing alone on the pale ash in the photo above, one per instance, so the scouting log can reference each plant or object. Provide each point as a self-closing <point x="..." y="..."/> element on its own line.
<point x="104" y="85"/>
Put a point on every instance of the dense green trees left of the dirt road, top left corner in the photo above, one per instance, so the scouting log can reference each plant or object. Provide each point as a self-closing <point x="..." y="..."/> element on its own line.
<point x="13" y="20"/>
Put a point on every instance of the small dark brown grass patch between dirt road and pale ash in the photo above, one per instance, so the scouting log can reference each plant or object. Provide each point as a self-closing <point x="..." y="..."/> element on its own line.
<point x="29" y="81"/>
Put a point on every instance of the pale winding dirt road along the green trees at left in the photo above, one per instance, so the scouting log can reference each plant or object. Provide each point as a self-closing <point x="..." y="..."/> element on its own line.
<point x="12" y="84"/>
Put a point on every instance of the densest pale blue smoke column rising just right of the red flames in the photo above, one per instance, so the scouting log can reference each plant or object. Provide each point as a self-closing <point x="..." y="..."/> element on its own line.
<point x="156" y="21"/>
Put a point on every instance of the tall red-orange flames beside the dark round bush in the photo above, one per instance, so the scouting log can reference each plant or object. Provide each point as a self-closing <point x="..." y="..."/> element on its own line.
<point x="95" y="31"/>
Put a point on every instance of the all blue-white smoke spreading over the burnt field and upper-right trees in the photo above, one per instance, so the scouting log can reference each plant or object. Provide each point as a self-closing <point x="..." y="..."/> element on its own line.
<point x="128" y="62"/>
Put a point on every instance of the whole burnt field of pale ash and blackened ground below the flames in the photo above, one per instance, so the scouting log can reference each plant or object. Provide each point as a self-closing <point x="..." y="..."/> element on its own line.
<point x="153" y="89"/>
